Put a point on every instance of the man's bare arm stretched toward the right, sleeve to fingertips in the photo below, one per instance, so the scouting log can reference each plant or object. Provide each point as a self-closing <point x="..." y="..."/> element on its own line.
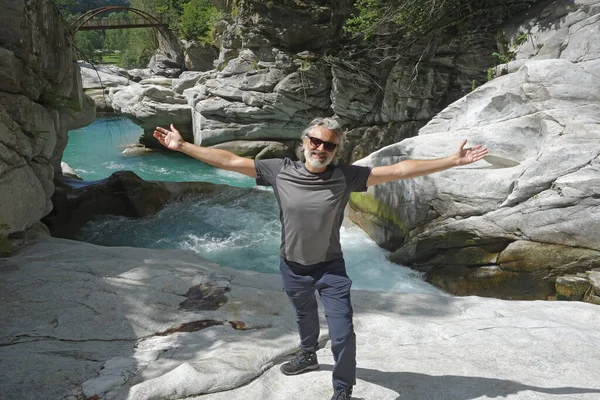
<point x="413" y="168"/>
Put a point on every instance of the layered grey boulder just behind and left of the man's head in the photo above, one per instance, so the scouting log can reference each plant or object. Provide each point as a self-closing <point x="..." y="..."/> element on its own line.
<point x="255" y="100"/>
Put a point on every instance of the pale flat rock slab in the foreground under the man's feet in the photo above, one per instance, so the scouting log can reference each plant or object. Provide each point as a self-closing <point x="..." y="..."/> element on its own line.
<point x="126" y="323"/>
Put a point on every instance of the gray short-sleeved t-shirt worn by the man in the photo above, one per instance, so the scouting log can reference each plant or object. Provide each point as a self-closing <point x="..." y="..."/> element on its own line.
<point x="311" y="206"/>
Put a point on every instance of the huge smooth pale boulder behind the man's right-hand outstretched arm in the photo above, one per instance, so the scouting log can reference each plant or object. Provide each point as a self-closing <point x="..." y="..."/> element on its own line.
<point x="529" y="211"/>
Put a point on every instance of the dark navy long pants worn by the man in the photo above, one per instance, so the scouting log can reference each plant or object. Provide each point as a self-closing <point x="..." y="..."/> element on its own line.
<point x="333" y="284"/>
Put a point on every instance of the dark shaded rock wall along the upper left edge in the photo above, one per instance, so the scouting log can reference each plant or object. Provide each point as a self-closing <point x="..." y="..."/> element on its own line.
<point x="41" y="98"/>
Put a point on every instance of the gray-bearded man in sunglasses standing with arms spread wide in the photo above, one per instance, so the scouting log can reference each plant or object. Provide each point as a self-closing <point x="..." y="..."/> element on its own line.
<point x="312" y="194"/>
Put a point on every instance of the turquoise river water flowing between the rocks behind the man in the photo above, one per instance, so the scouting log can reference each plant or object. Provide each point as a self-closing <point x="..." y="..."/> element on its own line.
<point x="239" y="228"/>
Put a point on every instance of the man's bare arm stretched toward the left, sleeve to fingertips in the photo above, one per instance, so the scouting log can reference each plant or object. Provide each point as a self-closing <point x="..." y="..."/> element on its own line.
<point x="223" y="159"/>
